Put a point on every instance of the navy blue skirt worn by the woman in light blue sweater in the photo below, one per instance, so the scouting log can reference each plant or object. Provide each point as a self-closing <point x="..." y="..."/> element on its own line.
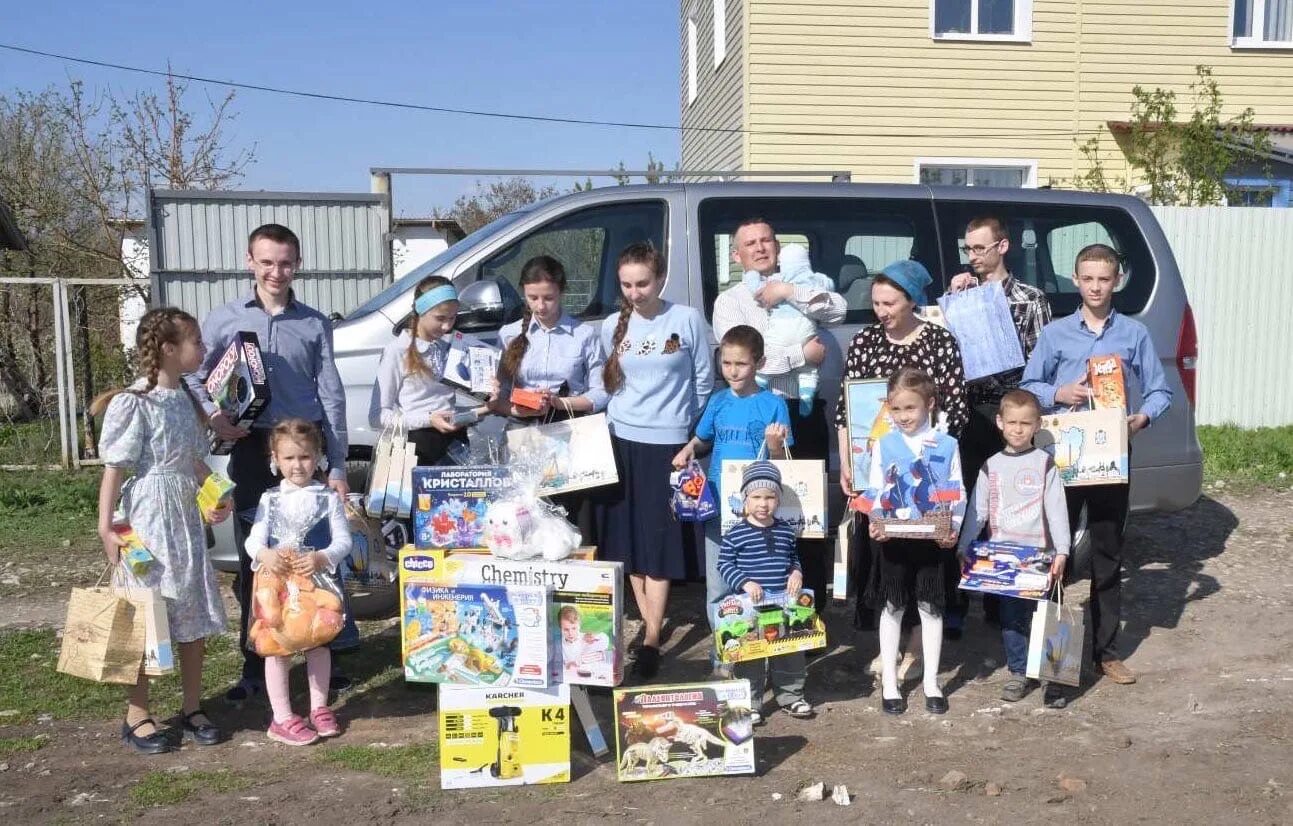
<point x="634" y="520"/>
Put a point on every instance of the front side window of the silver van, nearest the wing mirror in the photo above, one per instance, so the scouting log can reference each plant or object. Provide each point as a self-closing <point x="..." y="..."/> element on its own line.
<point x="586" y="244"/>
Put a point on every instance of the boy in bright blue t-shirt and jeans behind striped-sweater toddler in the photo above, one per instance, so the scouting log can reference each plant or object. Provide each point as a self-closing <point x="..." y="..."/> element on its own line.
<point x="738" y="421"/>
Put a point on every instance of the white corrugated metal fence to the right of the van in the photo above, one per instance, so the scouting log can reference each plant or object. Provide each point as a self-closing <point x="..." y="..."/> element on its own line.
<point x="1238" y="267"/>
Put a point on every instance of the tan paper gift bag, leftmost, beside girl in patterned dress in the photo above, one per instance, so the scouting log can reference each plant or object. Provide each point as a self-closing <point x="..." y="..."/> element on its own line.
<point x="104" y="638"/>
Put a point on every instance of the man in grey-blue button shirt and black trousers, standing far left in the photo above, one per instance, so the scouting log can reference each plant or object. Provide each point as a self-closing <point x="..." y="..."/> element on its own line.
<point x="297" y="347"/>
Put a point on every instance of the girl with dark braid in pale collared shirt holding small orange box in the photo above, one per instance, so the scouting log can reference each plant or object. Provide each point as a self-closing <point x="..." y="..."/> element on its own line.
<point x="551" y="352"/>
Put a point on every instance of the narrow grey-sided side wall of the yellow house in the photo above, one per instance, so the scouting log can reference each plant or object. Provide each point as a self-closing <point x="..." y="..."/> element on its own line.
<point x="720" y="91"/>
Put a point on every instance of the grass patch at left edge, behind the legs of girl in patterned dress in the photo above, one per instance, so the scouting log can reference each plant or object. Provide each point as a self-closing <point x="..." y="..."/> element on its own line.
<point x="30" y="684"/>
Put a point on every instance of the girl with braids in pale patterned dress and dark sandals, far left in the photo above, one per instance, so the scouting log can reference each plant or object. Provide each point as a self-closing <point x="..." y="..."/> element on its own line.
<point x="156" y="430"/>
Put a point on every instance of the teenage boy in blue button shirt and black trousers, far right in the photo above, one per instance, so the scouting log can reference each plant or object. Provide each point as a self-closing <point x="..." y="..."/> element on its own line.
<point x="1057" y="374"/>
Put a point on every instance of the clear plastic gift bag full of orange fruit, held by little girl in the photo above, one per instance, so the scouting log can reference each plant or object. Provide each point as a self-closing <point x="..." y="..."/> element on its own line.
<point x="295" y="613"/>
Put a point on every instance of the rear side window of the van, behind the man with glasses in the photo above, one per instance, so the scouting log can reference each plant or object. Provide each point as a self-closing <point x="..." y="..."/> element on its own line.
<point x="1045" y="241"/>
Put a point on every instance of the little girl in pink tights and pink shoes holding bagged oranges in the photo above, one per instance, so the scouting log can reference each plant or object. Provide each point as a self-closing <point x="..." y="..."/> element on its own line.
<point x="297" y="447"/>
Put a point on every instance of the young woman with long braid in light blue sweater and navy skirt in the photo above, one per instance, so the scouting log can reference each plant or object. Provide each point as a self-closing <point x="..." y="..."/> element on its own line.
<point x="660" y="374"/>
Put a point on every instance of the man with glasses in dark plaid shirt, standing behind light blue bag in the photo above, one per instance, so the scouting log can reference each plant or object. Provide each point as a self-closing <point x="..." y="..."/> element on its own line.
<point x="986" y="246"/>
